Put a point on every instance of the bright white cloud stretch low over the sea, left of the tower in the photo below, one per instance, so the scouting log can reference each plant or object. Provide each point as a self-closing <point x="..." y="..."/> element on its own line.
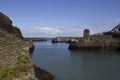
<point x="54" y="31"/>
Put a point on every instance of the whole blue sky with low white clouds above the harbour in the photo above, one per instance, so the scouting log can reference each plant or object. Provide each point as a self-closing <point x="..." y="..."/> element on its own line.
<point x="52" y="18"/>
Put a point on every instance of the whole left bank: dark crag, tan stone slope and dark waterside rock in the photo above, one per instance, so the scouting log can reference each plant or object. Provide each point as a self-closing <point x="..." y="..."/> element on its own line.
<point x="15" y="62"/>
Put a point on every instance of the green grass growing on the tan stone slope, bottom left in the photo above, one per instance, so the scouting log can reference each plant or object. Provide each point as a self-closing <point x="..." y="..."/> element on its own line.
<point x="16" y="71"/>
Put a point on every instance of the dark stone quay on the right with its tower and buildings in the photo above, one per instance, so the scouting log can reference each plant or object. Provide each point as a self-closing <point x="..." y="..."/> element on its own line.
<point x="104" y="41"/>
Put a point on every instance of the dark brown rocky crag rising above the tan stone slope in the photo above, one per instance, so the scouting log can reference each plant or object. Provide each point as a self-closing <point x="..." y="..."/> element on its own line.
<point x="6" y="24"/>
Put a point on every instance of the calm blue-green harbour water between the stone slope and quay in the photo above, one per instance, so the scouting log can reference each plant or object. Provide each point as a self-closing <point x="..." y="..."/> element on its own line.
<point x="67" y="64"/>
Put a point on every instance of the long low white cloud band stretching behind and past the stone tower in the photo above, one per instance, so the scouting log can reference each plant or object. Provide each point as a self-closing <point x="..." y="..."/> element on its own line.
<point x="63" y="31"/>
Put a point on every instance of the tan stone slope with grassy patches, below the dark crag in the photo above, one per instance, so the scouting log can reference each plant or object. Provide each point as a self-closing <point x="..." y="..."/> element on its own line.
<point x="14" y="56"/>
